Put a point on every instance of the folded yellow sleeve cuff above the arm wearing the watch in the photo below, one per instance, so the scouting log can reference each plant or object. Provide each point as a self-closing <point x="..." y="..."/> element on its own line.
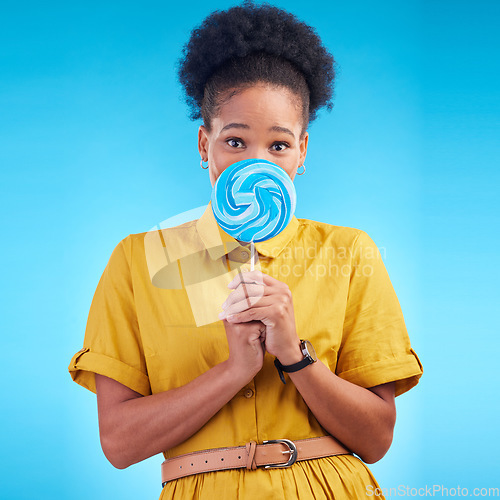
<point x="405" y="370"/>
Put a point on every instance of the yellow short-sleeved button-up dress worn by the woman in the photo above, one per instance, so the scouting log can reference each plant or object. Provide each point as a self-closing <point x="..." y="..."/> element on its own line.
<point x="153" y="325"/>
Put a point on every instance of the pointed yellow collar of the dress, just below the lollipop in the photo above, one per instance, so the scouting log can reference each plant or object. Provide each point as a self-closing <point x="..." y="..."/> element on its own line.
<point x="219" y="243"/>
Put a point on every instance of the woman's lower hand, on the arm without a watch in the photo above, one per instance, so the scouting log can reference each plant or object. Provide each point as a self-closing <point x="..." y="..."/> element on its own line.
<point x="246" y="350"/>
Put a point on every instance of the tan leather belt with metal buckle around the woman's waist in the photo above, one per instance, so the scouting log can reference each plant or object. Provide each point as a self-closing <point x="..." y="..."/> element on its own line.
<point x="277" y="453"/>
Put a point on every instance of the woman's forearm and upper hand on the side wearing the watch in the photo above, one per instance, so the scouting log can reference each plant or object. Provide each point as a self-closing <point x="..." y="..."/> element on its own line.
<point x="362" y="419"/>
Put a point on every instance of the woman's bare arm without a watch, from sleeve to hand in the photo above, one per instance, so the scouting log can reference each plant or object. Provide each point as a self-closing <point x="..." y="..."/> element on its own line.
<point x="133" y="427"/>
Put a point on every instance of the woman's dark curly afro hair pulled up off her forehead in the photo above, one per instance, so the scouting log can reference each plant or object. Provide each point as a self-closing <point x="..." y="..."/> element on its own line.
<point x="249" y="43"/>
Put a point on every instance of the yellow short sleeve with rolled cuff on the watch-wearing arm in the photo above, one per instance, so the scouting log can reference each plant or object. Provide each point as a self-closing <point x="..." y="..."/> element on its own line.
<point x="375" y="347"/>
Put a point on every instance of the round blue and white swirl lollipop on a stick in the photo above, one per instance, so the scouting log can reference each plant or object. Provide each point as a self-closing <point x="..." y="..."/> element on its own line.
<point x="253" y="200"/>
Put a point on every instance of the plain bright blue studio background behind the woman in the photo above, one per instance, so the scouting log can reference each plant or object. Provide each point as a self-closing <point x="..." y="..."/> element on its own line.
<point x="95" y="144"/>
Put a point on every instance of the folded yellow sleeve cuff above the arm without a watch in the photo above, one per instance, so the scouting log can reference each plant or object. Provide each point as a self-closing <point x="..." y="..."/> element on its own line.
<point x="86" y="363"/>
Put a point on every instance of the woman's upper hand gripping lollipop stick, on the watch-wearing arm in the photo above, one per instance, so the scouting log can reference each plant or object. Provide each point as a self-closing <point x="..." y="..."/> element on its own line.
<point x="258" y="296"/>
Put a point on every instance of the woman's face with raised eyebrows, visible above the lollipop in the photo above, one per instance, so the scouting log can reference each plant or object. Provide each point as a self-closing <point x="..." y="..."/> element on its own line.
<point x="259" y="122"/>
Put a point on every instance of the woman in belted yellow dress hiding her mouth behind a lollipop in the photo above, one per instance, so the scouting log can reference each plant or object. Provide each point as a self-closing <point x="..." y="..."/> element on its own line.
<point x="209" y="390"/>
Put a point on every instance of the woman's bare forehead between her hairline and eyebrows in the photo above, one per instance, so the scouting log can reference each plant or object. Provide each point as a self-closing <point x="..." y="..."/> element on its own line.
<point x="261" y="104"/>
